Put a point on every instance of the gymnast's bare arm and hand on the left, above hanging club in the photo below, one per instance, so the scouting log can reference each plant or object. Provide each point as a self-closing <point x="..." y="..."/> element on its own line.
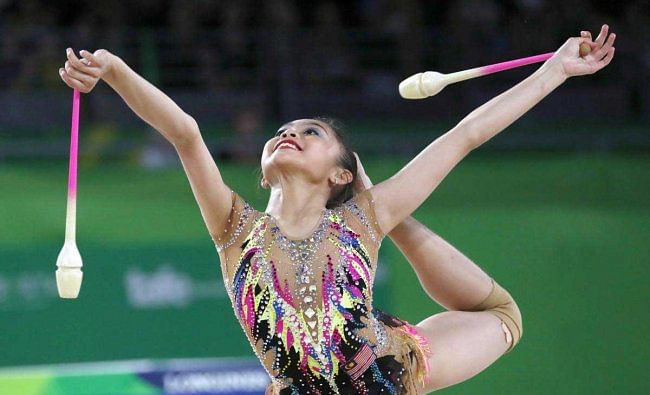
<point x="158" y="110"/>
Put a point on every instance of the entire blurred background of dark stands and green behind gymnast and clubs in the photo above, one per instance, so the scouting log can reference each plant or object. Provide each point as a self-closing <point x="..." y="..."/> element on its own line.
<point x="556" y="208"/>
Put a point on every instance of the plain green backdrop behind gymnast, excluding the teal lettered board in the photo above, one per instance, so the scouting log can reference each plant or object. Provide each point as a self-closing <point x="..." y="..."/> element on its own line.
<point x="566" y="234"/>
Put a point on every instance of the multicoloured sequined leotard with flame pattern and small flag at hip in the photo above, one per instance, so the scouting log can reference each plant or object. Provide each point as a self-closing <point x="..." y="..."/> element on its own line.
<point x="306" y="305"/>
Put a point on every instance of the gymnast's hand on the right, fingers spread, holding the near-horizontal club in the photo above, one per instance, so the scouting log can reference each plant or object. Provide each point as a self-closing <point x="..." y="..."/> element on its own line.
<point x="571" y="64"/>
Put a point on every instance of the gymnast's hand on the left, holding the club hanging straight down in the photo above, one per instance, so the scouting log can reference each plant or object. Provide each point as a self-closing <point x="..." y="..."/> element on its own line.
<point x="83" y="74"/>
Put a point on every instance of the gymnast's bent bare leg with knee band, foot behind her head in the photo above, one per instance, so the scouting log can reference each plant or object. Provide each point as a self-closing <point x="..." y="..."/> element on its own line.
<point x="483" y="321"/>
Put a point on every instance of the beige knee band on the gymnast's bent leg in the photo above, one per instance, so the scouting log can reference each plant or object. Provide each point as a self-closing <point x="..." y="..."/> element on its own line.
<point x="500" y="303"/>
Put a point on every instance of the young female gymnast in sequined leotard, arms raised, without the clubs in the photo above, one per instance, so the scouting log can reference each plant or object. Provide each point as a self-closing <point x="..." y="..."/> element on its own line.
<point x="300" y="274"/>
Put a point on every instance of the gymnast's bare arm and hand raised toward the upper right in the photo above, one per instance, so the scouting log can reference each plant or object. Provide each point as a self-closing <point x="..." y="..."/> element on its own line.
<point x="397" y="197"/>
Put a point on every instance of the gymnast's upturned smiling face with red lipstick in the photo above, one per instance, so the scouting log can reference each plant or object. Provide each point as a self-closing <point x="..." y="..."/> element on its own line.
<point x="311" y="149"/>
